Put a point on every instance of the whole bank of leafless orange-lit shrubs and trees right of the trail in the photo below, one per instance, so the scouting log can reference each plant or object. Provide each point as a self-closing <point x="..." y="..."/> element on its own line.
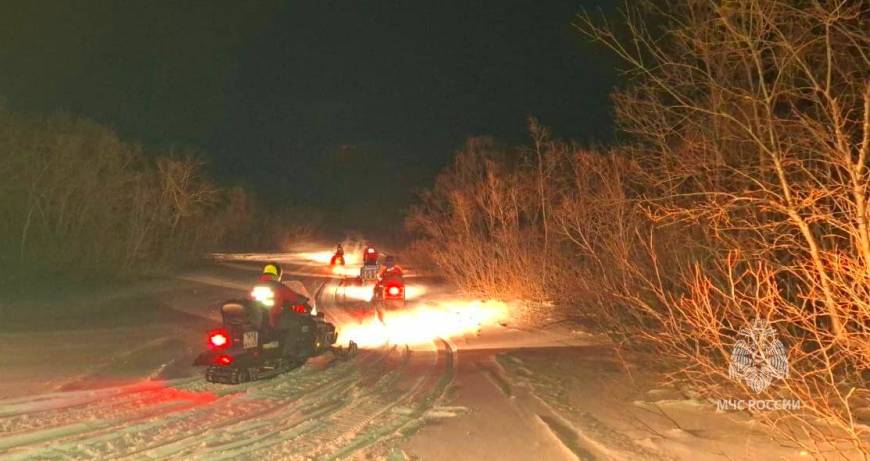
<point x="739" y="193"/>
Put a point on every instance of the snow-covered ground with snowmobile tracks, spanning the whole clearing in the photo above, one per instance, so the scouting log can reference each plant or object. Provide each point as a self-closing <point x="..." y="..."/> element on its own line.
<point x="445" y="378"/>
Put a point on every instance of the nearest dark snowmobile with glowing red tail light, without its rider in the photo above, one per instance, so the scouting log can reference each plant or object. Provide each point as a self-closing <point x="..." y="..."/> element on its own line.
<point x="246" y="349"/>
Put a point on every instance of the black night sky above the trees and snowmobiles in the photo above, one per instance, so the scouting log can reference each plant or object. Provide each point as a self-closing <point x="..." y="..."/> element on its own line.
<point x="343" y="106"/>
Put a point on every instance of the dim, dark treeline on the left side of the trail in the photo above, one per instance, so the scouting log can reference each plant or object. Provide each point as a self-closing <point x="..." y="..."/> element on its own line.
<point x="76" y="200"/>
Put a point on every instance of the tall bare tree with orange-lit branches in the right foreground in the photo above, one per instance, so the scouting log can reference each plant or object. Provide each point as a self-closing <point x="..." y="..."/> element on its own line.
<point x="752" y="120"/>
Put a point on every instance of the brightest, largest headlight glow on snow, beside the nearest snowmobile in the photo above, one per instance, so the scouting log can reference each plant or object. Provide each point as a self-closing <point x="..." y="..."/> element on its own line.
<point x="424" y="323"/>
